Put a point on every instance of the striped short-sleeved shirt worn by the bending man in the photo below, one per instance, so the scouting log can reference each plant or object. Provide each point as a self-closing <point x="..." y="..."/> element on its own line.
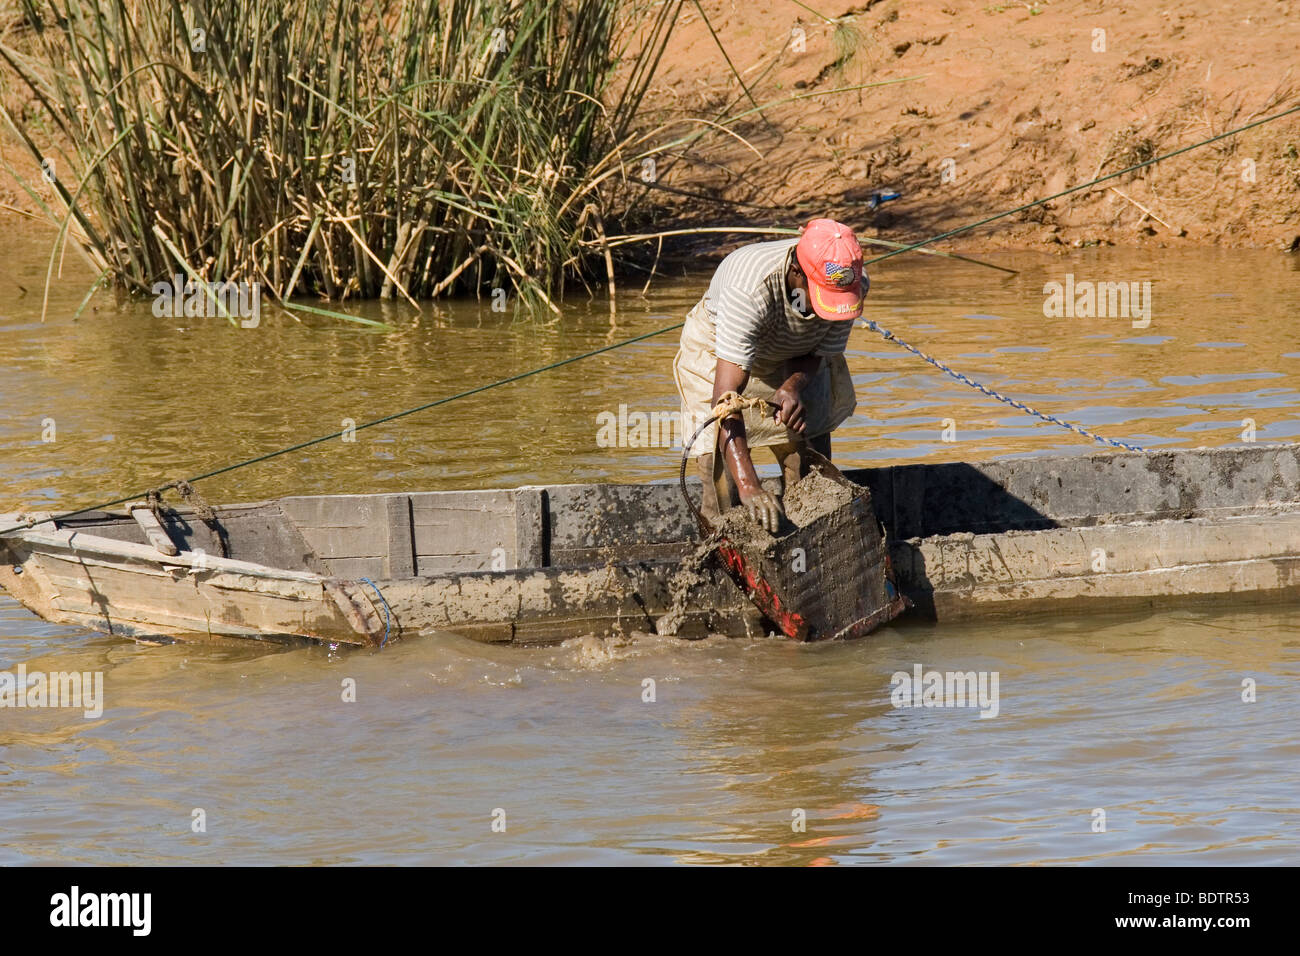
<point x="756" y="326"/>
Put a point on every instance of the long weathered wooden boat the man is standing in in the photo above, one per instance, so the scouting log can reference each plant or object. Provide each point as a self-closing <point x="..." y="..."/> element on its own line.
<point x="541" y="564"/>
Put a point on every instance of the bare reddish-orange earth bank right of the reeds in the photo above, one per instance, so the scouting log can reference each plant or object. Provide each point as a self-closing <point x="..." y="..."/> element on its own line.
<point x="1011" y="103"/>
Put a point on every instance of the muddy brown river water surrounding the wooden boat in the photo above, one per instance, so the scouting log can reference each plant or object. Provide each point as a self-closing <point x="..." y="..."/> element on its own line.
<point x="752" y="751"/>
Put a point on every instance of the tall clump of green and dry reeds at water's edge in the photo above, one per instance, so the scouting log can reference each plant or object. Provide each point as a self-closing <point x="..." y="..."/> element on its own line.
<point x="343" y="149"/>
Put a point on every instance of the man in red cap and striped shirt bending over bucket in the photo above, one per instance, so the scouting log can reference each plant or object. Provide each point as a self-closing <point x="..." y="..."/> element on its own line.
<point x="774" y="326"/>
